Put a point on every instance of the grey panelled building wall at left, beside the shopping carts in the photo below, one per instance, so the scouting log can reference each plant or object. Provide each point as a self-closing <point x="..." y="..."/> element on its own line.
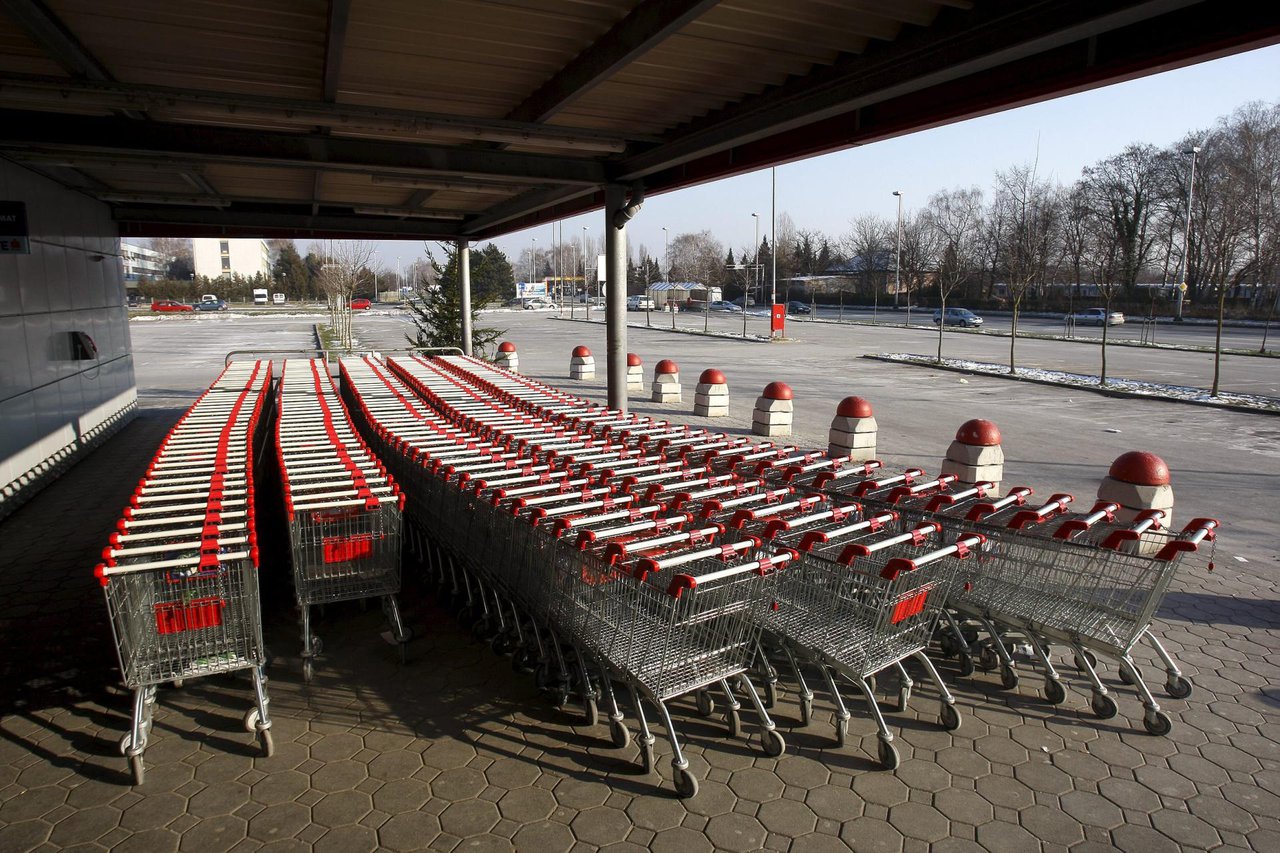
<point x="54" y="408"/>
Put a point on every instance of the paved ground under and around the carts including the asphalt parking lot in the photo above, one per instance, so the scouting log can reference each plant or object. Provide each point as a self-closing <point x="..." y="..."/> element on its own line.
<point x="455" y="751"/>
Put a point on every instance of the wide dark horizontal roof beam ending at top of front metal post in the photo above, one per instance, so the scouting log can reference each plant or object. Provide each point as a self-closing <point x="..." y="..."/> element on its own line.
<point x="98" y="136"/>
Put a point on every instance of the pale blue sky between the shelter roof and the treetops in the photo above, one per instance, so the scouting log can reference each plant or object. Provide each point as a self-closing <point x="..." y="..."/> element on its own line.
<point x="828" y="193"/>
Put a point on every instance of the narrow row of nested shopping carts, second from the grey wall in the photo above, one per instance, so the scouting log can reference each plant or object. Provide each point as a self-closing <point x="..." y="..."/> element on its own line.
<point x="344" y="509"/>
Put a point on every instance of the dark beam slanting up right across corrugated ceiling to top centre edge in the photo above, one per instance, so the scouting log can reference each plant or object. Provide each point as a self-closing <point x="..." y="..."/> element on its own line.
<point x="644" y="29"/>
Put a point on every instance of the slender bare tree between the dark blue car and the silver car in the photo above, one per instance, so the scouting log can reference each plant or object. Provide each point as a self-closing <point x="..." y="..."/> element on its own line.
<point x="1032" y="211"/>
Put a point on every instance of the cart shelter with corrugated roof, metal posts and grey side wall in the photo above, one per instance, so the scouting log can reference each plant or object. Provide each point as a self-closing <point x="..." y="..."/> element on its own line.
<point x="461" y="121"/>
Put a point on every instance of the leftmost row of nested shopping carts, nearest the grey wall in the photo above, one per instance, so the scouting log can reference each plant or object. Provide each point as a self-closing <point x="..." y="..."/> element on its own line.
<point x="181" y="572"/>
